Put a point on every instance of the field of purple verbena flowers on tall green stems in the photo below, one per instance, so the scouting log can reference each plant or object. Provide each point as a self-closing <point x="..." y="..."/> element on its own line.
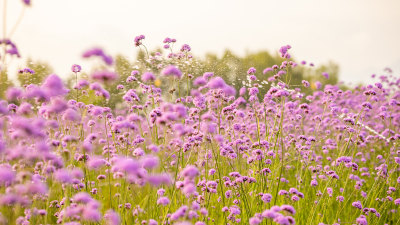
<point x="208" y="156"/>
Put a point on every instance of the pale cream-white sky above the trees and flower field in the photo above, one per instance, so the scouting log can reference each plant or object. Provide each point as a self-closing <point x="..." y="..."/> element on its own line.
<point x="362" y="36"/>
